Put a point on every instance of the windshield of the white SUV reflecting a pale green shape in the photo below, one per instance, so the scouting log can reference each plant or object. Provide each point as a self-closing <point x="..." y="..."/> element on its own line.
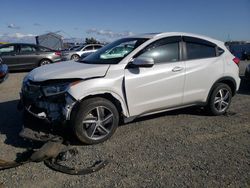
<point x="114" y="52"/>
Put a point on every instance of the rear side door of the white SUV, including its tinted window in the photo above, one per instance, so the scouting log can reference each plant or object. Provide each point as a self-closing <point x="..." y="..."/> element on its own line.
<point x="203" y="67"/>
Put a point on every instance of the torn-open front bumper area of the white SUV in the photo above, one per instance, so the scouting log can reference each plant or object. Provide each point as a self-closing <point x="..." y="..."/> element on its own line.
<point x="42" y="113"/>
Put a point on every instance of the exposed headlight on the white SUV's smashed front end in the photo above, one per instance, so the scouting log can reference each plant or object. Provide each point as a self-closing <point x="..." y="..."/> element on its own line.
<point x="55" y="89"/>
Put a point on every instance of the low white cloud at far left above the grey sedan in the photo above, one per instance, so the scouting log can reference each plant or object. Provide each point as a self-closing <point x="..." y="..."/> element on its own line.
<point x="17" y="37"/>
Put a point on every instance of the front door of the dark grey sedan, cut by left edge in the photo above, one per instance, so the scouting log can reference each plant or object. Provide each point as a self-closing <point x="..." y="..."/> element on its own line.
<point x="8" y="54"/>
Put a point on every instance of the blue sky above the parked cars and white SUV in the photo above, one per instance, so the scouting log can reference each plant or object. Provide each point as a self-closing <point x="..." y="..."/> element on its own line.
<point x="111" y="19"/>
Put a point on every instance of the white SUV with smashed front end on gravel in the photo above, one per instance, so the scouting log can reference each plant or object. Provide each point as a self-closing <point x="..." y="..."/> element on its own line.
<point x="130" y="78"/>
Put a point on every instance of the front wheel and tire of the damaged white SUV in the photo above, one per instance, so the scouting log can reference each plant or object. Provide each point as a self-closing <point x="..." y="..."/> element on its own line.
<point x="95" y="121"/>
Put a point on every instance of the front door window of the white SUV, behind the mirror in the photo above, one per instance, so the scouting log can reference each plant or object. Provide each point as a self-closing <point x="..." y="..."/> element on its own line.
<point x="163" y="50"/>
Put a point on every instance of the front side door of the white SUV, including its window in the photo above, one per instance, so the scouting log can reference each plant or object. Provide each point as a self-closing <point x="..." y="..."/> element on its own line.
<point x="158" y="87"/>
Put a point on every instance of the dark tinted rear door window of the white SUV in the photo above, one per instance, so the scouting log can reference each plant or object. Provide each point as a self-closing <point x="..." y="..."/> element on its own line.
<point x="198" y="48"/>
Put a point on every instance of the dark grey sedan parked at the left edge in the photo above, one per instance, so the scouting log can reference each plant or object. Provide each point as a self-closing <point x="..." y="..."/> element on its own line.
<point x="27" y="56"/>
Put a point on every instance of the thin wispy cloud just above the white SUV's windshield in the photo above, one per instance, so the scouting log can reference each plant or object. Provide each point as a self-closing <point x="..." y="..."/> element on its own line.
<point x="109" y="33"/>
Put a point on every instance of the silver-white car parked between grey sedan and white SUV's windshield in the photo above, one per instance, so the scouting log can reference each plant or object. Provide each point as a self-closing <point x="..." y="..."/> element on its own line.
<point x="77" y="53"/>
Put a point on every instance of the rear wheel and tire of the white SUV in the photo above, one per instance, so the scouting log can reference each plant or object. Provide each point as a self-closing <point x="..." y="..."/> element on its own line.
<point x="220" y="99"/>
